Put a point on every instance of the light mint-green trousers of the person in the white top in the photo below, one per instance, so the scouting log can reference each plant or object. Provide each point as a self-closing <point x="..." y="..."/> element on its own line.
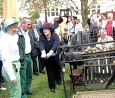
<point x="15" y="89"/>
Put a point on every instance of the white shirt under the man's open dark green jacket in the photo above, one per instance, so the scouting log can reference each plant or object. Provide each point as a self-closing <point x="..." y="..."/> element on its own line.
<point x="27" y="42"/>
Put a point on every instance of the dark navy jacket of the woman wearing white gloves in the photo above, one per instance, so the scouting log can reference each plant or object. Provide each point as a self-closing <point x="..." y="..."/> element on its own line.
<point x="50" y="45"/>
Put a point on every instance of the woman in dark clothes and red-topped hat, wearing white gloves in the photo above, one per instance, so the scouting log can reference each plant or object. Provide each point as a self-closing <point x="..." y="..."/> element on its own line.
<point x="49" y="42"/>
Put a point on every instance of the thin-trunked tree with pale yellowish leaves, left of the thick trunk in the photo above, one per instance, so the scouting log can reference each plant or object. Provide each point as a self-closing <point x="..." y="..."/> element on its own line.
<point x="39" y="5"/>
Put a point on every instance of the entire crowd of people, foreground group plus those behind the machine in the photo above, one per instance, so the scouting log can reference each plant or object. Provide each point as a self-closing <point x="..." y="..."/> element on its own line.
<point x="27" y="46"/>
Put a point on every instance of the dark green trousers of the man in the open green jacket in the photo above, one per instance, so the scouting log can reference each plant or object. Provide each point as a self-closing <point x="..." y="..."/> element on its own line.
<point x="26" y="75"/>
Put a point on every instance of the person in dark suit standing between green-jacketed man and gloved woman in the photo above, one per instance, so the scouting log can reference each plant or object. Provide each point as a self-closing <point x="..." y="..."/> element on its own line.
<point x="40" y="60"/>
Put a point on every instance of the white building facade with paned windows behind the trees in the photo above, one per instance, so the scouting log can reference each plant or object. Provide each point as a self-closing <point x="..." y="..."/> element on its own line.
<point x="99" y="6"/>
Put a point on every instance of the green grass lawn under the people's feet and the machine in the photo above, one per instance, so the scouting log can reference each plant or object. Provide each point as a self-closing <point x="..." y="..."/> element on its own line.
<point x="41" y="90"/>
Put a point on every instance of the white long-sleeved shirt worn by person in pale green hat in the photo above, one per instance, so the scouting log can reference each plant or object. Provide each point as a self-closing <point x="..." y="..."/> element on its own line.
<point x="10" y="52"/>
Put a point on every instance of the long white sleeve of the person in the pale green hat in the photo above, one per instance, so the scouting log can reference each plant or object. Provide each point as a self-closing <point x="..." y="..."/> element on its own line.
<point x="7" y="63"/>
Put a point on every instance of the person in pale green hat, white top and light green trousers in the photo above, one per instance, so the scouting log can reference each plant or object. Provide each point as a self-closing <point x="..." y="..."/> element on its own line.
<point x="10" y="57"/>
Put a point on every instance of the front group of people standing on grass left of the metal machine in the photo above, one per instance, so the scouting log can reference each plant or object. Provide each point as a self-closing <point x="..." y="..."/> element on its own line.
<point x="24" y="46"/>
